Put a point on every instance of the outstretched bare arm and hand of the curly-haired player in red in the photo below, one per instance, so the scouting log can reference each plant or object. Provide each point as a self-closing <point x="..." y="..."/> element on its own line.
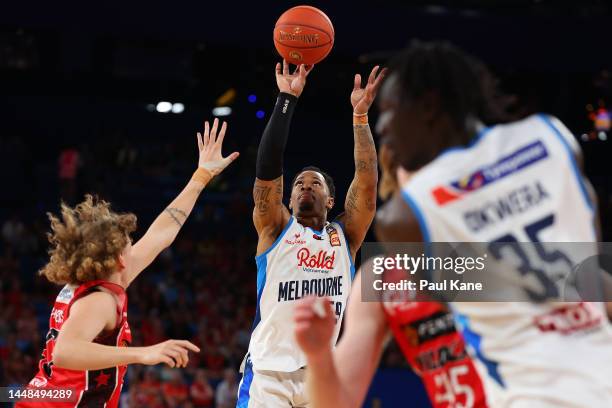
<point x="166" y="226"/>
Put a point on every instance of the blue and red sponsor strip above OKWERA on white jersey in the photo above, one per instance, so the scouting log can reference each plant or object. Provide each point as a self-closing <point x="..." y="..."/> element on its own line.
<point x="507" y="165"/>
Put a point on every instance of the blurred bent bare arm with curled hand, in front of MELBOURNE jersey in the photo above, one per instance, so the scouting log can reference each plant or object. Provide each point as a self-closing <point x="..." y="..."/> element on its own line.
<point x="336" y="378"/>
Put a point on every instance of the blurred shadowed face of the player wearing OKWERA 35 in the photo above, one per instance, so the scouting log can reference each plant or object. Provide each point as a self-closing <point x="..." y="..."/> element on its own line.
<point x="403" y="126"/>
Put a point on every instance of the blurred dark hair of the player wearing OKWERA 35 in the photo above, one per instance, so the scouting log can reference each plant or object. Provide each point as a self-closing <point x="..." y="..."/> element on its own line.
<point x="463" y="83"/>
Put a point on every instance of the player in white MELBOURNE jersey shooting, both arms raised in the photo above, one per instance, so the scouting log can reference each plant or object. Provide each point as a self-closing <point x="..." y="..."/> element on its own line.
<point x="301" y="252"/>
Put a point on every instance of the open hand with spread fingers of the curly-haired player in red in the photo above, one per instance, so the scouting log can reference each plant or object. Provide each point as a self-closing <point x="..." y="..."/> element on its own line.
<point x="210" y="145"/>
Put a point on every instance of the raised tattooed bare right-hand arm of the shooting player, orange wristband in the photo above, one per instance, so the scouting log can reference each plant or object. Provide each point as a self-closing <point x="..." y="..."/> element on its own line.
<point x="360" y="203"/>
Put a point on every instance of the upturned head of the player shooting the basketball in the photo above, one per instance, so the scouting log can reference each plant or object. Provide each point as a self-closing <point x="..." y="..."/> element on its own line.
<point x="310" y="194"/>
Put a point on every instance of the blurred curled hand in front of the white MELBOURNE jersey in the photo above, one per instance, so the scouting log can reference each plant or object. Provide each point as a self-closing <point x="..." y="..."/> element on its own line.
<point x="312" y="332"/>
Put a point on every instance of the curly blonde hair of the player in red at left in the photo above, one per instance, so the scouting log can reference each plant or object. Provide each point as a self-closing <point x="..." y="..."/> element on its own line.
<point x="86" y="242"/>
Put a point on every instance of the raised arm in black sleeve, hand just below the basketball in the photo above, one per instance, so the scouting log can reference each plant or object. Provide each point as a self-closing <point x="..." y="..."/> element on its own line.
<point x="270" y="215"/>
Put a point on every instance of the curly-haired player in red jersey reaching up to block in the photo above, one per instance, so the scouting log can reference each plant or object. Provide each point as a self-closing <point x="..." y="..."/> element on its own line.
<point x="87" y="347"/>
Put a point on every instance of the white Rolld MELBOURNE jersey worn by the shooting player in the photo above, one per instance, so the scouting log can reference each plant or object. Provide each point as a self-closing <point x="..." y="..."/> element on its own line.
<point x="301" y="262"/>
